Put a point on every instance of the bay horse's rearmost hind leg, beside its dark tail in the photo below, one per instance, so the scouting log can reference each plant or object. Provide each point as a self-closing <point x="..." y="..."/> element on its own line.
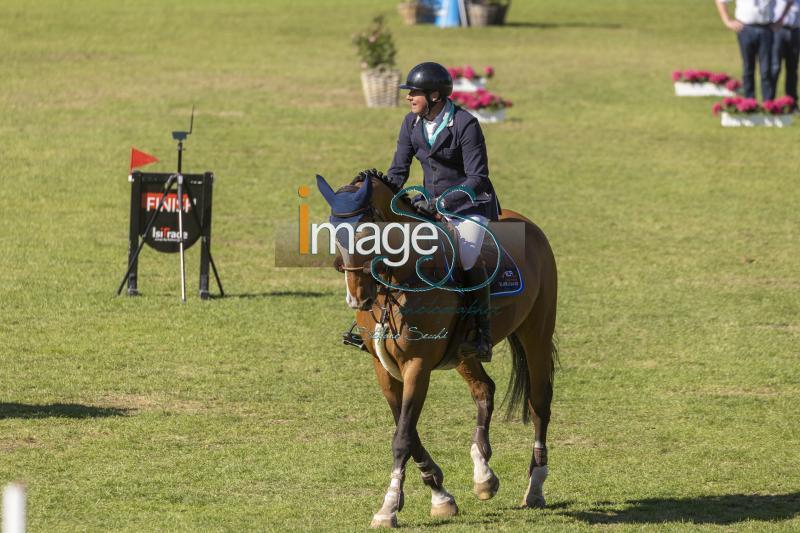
<point x="535" y="339"/>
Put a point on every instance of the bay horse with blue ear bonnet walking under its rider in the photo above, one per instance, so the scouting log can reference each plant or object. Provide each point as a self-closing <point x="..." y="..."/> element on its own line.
<point x="403" y="361"/>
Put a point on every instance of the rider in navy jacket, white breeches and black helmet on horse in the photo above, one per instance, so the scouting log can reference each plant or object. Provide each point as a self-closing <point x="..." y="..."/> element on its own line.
<point x="449" y="144"/>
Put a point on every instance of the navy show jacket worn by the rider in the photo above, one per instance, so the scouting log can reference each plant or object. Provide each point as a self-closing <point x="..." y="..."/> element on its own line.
<point x="457" y="157"/>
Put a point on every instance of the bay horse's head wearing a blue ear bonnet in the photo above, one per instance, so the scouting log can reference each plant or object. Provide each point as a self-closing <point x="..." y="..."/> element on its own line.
<point x="366" y="199"/>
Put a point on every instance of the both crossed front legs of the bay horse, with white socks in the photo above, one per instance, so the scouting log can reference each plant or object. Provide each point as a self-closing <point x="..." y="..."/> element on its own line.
<point x="406" y="443"/>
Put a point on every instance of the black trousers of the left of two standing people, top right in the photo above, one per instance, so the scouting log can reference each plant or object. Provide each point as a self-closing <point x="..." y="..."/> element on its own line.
<point x="755" y="43"/>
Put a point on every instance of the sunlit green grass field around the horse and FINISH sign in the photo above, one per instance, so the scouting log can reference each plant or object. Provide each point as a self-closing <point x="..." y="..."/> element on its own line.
<point x="677" y="241"/>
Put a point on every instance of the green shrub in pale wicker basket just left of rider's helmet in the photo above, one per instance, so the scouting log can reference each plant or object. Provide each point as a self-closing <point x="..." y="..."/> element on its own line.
<point x="379" y="79"/>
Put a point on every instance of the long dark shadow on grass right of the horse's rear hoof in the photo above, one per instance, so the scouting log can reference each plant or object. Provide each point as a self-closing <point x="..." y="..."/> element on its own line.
<point x="721" y="510"/>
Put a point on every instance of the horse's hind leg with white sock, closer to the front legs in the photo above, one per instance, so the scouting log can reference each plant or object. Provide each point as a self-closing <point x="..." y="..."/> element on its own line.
<point x="481" y="387"/>
